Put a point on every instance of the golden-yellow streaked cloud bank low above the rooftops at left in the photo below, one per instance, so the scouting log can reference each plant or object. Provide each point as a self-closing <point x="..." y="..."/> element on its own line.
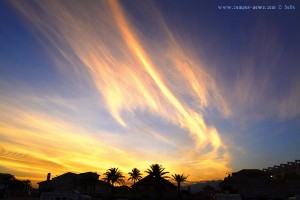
<point x="34" y="141"/>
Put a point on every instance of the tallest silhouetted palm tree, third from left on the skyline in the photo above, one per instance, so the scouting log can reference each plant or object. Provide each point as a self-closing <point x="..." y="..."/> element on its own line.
<point x="158" y="173"/>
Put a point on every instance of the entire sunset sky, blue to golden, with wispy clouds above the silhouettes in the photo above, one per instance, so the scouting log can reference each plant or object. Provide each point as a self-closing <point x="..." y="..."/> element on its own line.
<point x="89" y="85"/>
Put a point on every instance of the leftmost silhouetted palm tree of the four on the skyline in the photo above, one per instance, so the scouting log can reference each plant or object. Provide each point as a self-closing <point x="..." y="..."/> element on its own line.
<point x="112" y="176"/>
